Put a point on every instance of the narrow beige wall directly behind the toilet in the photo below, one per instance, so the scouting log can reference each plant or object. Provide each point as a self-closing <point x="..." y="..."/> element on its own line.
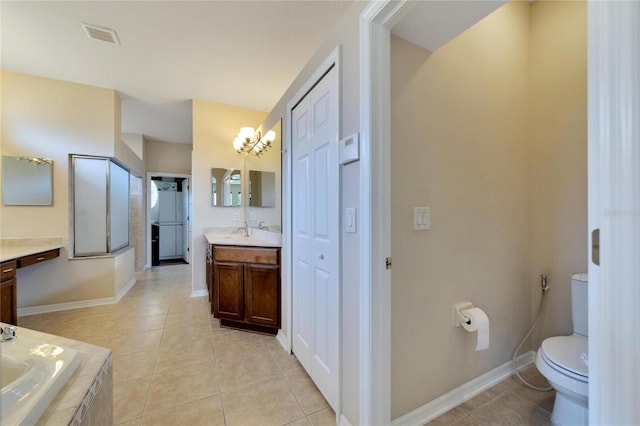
<point x="558" y="157"/>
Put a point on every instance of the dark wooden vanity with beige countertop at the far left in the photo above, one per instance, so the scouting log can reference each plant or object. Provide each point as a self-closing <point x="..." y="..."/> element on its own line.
<point x="19" y="253"/>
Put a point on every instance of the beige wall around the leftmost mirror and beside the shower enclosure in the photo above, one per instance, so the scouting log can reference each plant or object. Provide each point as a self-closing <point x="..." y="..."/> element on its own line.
<point x="51" y="118"/>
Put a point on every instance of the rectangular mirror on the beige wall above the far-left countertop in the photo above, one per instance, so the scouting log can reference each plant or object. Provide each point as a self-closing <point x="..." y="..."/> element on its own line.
<point x="27" y="181"/>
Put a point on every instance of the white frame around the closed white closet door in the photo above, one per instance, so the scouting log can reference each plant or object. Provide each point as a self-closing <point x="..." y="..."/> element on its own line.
<point x="285" y="334"/>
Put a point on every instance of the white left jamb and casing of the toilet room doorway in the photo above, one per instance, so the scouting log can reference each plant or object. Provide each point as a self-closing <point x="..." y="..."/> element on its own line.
<point x="376" y="22"/>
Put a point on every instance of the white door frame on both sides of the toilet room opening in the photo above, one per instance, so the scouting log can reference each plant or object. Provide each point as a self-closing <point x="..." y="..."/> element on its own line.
<point x="376" y="22"/>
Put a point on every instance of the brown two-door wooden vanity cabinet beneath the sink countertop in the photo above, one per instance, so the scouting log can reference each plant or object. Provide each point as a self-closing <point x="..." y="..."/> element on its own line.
<point x="246" y="287"/>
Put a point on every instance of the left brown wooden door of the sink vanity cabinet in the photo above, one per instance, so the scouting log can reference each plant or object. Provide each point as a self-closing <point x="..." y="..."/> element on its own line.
<point x="228" y="290"/>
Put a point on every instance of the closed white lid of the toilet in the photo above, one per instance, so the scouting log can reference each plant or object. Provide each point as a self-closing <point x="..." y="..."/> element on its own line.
<point x="569" y="353"/>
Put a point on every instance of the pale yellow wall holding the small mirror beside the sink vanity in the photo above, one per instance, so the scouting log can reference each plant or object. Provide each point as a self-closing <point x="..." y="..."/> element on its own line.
<point x="214" y="128"/>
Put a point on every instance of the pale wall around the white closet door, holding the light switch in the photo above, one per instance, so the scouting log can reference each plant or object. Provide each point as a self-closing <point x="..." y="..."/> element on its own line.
<point x="346" y="35"/>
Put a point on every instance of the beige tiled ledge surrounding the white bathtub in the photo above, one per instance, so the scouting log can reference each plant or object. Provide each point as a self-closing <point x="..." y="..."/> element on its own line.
<point x="72" y="401"/>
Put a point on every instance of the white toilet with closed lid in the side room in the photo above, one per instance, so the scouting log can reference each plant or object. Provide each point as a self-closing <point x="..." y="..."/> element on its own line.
<point x="564" y="361"/>
